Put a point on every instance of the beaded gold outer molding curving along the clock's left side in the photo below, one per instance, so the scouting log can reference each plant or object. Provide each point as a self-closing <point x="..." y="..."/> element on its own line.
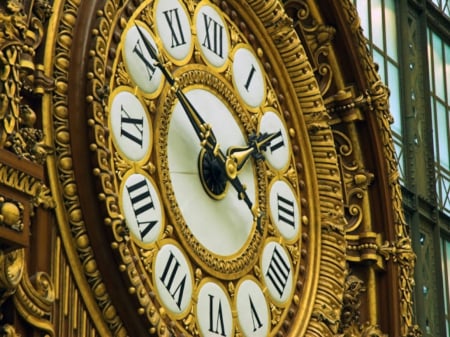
<point x="60" y="170"/>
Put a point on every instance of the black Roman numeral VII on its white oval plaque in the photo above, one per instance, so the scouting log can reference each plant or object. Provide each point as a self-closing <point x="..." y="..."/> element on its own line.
<point x="171" y="274"/>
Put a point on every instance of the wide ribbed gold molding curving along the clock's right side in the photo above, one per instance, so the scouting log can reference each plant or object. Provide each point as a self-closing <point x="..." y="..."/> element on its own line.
<point x="327" y="298"/>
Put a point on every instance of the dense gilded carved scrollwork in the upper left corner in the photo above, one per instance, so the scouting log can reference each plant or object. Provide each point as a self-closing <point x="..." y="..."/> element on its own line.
<point x="19" y="39"/>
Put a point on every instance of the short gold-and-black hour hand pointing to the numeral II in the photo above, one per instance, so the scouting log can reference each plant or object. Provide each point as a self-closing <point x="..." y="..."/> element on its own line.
<point x="237" y="156"/>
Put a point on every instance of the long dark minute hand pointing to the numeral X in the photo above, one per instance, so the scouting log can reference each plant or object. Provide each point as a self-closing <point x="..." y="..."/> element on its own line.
<point x="201" y="128"/>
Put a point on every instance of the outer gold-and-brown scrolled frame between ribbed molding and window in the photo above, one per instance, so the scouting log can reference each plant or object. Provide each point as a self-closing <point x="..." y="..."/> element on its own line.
<point x="350" y="105"/>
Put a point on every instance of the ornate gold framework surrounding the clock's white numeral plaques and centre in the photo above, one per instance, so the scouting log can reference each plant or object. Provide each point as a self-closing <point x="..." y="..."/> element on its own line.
<point x="228" y="269"/>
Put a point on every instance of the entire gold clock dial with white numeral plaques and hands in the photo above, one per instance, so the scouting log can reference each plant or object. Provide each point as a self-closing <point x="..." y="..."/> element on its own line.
<point x="202" y="165"/>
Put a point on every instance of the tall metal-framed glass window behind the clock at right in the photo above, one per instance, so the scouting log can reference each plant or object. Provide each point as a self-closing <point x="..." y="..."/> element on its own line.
<point x="416" y="67"/>
